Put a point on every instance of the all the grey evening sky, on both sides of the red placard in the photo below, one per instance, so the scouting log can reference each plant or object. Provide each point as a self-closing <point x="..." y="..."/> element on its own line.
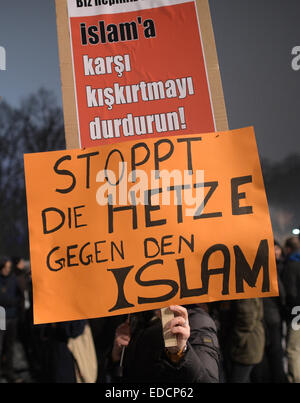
<point x="254" y="40"/>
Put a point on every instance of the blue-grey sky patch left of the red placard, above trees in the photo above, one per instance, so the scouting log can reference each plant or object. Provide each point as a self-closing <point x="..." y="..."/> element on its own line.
<point x="28" y="33"/>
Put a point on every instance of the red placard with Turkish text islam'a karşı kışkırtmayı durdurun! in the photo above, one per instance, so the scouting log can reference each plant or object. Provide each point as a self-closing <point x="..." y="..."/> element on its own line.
<point x="138" y="69"/>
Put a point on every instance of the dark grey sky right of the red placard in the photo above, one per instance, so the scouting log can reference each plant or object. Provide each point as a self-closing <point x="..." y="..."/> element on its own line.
<point x="254" y="41"/>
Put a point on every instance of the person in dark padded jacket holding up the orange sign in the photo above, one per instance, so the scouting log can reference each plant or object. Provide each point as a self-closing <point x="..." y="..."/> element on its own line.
<point x="195" y="359"/>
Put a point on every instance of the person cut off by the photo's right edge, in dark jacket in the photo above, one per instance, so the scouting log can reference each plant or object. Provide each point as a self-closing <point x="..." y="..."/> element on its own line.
<point x="291" y="280"/>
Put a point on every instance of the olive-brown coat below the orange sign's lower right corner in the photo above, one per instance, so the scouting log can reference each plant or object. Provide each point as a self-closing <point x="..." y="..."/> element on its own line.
<point x="247" y="341"/>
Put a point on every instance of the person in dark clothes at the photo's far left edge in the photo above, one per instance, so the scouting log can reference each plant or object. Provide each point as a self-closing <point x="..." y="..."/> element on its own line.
<point x="10" y="300"/>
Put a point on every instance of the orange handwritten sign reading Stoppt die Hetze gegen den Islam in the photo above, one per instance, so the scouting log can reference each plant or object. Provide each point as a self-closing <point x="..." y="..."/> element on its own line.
<point x="108" y="237"/>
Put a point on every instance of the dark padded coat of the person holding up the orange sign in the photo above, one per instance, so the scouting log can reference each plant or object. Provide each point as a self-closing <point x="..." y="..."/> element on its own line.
<point x="145" y="359"/>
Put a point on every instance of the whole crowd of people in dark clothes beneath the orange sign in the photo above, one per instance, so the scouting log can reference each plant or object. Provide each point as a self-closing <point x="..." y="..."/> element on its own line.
<point x="240" y="341"/>
